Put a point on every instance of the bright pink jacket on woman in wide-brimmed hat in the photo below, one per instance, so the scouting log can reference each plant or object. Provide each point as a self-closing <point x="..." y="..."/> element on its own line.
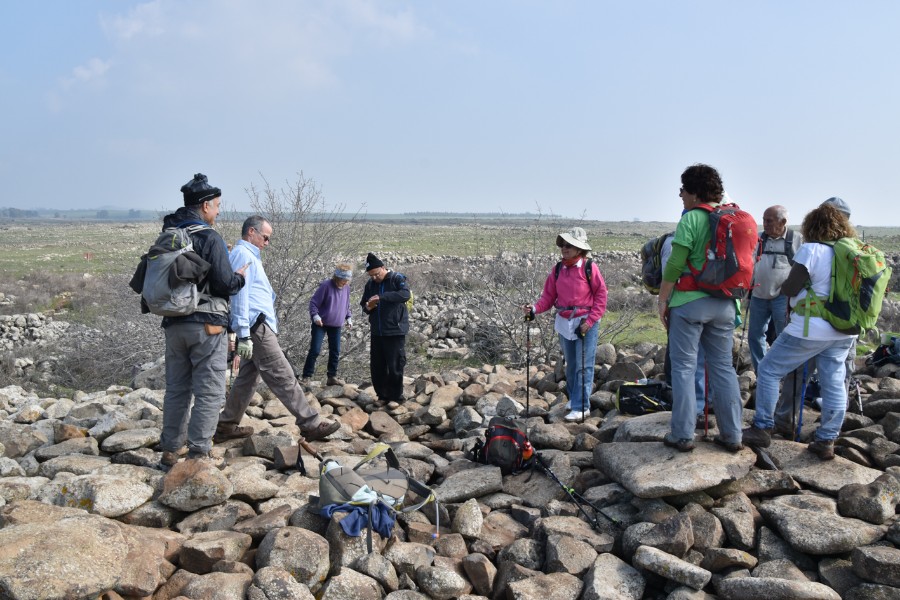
<point x="571" y="290"/>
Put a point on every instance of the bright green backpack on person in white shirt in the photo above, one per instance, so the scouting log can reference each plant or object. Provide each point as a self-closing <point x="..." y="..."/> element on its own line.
<point x="859" y="279"/>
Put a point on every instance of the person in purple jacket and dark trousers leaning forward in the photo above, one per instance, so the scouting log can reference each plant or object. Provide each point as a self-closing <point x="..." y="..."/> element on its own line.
<point x="329" y="309"/>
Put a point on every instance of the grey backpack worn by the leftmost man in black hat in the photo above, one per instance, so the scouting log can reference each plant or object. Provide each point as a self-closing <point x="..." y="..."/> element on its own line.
<point x="163" y="292"/>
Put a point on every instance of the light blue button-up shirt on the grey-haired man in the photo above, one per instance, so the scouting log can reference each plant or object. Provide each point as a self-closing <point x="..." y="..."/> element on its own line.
<point x="256" y="296"/>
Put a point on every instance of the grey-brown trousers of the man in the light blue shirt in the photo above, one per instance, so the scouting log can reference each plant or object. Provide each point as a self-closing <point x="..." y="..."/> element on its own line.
<point x="270" y="364"/>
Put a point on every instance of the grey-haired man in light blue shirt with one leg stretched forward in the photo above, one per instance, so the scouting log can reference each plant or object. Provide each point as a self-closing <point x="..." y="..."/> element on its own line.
<point x="254" y="321"/>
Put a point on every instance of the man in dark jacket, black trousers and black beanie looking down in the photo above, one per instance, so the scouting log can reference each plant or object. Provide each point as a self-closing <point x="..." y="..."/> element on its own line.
<point x="384" y="300"/>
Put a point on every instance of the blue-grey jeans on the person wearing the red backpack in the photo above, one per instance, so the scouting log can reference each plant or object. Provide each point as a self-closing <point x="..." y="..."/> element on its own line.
<point x="707" y="323"/>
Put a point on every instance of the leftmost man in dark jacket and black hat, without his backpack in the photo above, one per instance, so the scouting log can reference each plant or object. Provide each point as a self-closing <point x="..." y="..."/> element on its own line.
<point x="196" y="344"/>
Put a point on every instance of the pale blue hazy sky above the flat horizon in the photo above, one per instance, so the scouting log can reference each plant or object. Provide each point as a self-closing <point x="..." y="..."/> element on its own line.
<point x="584" y="109"/>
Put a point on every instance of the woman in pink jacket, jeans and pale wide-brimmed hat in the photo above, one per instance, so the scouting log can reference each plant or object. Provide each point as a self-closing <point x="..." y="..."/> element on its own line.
<point x="576" y="289"/>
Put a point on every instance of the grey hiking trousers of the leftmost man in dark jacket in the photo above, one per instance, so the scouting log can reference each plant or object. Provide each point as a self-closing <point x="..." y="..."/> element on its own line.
<point x="195" y="363"/>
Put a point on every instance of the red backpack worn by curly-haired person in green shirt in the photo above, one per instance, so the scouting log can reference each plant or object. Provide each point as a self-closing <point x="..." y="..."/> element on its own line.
<point x="727" y="271"/>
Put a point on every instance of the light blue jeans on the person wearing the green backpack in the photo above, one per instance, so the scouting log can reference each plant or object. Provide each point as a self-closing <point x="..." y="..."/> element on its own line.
<point x="786" y="354"/>
